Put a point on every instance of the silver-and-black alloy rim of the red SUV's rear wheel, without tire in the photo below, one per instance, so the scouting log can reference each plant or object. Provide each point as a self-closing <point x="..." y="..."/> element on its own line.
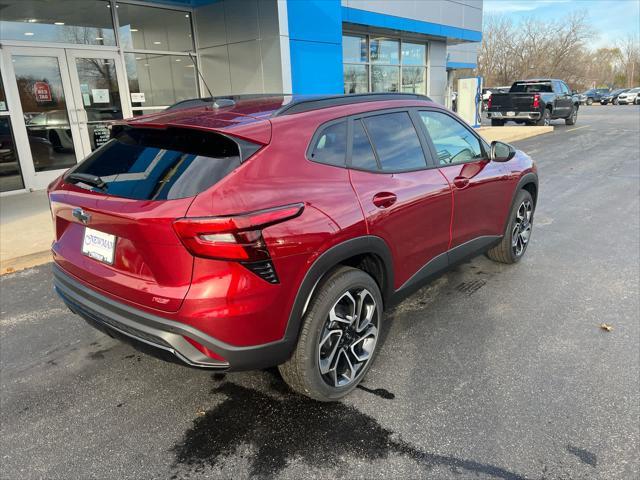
<point x="348" y="338"/>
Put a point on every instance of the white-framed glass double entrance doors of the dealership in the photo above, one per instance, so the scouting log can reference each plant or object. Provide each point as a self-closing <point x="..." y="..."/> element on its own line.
<point x="66" y="97"/>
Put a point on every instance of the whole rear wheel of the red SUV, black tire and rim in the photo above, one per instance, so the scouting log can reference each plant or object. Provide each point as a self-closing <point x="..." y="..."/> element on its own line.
<point x="322" y="361"/>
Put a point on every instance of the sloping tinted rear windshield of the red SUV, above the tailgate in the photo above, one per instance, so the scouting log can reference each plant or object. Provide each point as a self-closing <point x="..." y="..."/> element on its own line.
<point x="167" y="164"/>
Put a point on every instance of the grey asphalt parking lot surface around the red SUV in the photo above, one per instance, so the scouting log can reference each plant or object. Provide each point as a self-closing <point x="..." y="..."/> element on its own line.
<point x="492" y="371"/>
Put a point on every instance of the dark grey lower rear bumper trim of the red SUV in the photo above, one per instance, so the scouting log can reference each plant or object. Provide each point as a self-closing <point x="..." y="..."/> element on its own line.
<point x="160" y="333"/>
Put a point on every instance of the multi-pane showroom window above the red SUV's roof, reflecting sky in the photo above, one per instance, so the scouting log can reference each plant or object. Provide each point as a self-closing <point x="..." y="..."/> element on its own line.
<point x="373" y="63"/>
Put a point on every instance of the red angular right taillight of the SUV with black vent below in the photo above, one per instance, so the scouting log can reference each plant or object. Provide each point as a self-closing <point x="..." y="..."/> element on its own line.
<point x="235" y="237"/>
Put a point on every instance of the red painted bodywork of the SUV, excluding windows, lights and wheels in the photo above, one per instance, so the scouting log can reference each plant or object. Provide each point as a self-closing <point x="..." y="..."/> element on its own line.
<point x="434" y="211"/>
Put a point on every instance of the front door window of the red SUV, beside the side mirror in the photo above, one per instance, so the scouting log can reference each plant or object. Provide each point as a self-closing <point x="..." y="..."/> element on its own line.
<point x="453" y="141"/>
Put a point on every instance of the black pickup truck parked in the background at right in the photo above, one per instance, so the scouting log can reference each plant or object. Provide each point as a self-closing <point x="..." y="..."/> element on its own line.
<point x="534" y="102"/>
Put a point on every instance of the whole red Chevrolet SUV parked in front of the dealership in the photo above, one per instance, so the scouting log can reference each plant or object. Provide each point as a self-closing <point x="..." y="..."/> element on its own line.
<point x="251" y="232"/>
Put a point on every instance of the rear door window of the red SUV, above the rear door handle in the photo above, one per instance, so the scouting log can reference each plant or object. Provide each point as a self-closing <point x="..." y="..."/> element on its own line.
<point x="396" y="141"/>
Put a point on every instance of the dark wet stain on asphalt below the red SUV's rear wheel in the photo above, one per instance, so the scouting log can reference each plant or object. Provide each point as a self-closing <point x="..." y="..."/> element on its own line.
<point x="289" y="426"/>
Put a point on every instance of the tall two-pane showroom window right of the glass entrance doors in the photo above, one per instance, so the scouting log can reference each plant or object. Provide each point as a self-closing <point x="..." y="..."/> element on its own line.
<point x="157" y="43"/>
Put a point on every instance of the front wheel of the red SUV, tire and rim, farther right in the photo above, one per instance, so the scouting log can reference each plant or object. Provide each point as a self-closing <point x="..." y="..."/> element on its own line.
<point x="516" y="237"/>
